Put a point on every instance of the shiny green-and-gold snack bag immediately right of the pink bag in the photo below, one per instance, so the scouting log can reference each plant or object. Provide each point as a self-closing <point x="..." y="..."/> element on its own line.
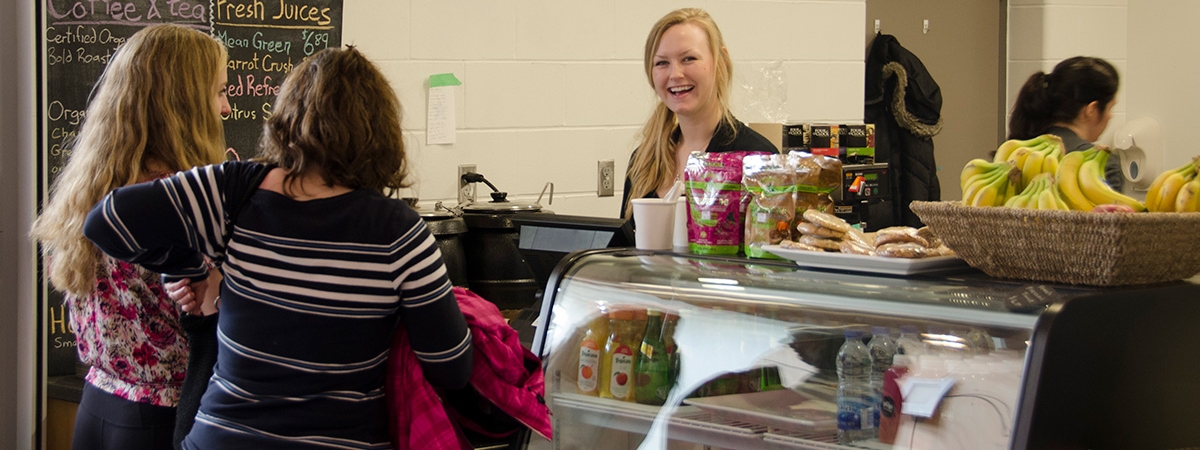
<point x="771" y="189"/>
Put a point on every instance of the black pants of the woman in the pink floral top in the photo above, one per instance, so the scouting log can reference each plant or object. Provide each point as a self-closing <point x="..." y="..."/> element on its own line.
<point x="106" y="422"/>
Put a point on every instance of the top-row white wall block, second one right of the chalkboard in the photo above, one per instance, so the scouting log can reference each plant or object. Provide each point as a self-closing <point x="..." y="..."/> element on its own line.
<point x="476" y="31"/>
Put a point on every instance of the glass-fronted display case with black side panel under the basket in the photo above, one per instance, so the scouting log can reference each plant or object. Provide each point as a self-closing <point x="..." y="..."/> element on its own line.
<point x="1059" y="346"/>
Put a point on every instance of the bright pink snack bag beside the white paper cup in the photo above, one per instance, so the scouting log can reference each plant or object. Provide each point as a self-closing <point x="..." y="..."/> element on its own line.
<point x="717" y="202"/>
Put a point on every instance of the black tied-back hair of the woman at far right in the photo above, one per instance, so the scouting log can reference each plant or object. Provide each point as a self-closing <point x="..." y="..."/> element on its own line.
<point x="1054" y="98"/>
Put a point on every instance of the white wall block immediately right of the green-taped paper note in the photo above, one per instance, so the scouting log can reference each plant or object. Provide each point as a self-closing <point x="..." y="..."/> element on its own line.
<point x="515" y="95"/>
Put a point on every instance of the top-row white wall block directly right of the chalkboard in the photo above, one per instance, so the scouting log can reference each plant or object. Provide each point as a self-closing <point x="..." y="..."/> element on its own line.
<point x="373" y="28"/>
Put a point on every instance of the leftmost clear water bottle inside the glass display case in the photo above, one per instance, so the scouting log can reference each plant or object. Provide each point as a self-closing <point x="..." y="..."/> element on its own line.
<point x="855" y="393"/>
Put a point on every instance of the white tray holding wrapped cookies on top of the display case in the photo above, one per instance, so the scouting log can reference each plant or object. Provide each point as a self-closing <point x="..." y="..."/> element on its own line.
<point x="862" y="263"/>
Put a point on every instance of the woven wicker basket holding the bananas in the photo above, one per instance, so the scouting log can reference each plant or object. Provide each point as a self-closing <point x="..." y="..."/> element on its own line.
<point x="1072" y="248"/>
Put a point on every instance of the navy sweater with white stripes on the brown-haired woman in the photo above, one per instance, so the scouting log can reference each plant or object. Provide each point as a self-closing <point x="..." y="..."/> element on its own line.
<point x="313" y="295"/>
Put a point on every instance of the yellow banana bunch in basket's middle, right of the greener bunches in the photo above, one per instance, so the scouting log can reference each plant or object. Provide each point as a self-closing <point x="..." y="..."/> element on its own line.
<point x="1081" y="182"/>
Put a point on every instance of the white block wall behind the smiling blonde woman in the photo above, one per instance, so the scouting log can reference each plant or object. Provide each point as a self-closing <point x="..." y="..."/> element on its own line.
<point x="551" y="87"/>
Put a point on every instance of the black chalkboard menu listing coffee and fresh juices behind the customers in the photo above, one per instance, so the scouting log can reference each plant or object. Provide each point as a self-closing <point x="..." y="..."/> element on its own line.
<point x="265" y="39"/>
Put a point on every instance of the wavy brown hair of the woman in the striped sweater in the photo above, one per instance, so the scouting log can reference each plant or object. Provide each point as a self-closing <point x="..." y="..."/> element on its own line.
<point x="338" y="116"/>
